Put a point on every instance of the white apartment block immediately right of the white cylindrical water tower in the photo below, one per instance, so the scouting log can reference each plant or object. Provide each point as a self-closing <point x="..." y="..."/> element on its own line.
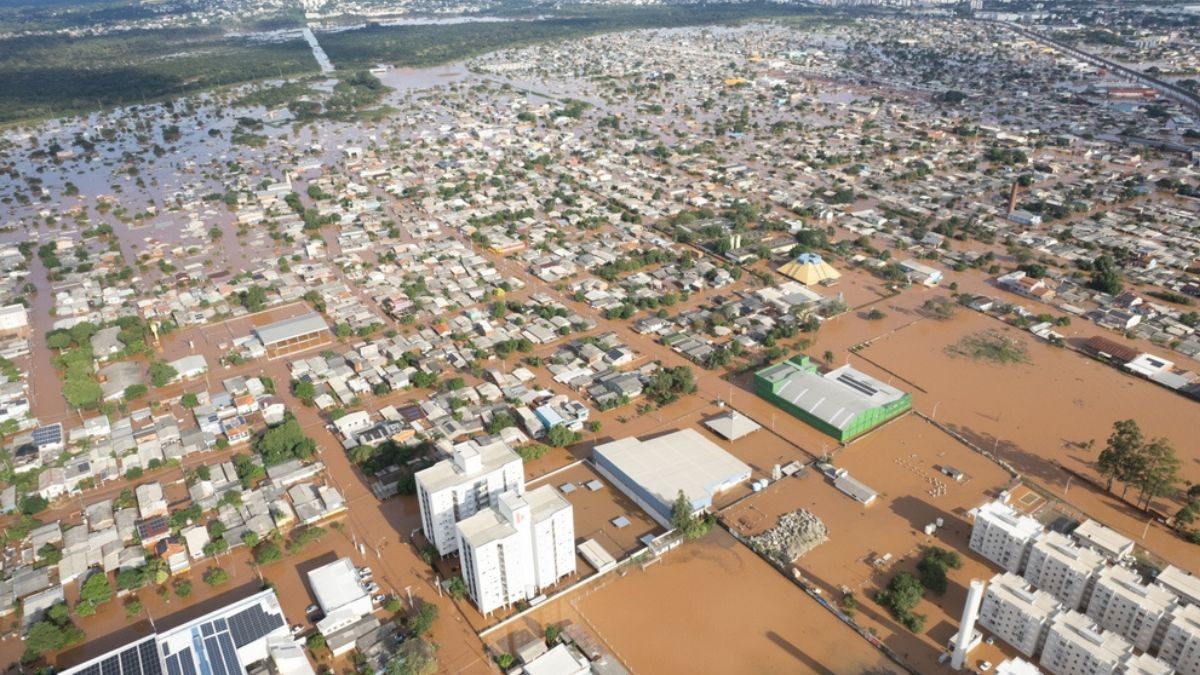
<point x="1017" y="614"/>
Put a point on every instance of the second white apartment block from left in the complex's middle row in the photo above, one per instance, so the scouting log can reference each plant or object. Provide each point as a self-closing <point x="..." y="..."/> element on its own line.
<point x="1063" y="569"/>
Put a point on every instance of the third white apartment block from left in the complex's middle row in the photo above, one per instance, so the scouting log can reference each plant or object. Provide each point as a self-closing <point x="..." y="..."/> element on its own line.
<point x="1124" y="605"/>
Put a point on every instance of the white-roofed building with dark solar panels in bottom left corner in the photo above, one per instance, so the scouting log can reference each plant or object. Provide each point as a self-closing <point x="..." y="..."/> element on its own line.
<point x="226" y="642"/>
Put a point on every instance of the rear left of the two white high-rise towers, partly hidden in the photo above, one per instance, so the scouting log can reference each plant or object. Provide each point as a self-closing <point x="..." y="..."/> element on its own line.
<point x="472" y="480"/>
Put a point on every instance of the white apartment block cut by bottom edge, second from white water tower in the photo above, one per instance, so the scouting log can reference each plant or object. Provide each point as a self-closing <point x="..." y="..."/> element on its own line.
<point x="1077" y="647"/>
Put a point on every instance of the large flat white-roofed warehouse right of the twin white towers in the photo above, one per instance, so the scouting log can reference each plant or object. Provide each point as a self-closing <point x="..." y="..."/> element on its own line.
<point x="653" y="473"/>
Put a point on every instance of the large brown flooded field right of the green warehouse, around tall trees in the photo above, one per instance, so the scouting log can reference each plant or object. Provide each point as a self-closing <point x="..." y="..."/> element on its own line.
<point x="1041" y="415"/>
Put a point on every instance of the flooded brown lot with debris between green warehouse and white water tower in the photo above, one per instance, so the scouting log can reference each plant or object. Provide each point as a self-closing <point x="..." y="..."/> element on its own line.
<point x="902" y="463"/>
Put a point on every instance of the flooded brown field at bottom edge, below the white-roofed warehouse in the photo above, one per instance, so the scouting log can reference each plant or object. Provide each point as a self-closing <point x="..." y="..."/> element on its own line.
<point x="710" y="593"/>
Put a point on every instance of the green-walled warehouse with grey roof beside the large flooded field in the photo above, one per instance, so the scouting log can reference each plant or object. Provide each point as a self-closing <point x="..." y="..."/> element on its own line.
<point x="843" y="403"/>
